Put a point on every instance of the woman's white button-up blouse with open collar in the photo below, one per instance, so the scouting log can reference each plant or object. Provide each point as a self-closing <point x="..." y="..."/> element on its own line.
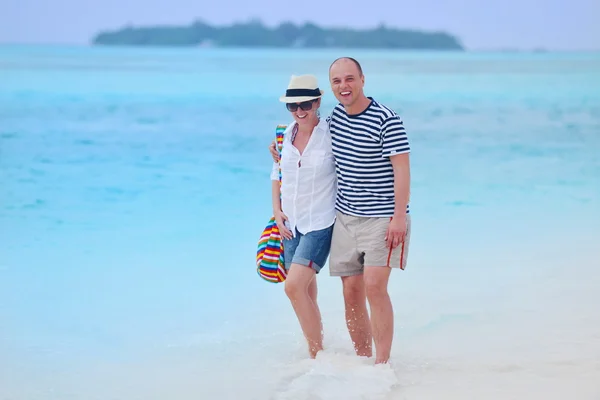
<point x="308" y="181"/>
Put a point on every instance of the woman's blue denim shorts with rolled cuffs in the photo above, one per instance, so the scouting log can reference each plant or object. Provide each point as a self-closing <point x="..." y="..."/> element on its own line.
<point x="310" y="250"/>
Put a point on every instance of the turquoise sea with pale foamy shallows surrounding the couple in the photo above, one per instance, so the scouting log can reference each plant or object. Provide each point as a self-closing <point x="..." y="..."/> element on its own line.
<point x="134" y="184"/>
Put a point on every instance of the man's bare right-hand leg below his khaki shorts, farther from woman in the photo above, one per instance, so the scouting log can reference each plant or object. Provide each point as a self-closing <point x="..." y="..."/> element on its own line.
<point x="382" y="313"/>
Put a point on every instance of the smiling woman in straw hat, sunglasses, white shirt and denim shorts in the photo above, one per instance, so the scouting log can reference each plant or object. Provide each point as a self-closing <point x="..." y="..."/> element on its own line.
<point x="305" y="211"/>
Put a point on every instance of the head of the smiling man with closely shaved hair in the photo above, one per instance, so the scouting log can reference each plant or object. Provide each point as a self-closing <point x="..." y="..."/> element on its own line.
<point x="346" y="82"/>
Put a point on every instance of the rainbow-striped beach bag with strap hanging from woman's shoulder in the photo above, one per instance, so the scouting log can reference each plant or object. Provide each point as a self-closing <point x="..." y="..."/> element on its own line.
<point x="270" y="262"/>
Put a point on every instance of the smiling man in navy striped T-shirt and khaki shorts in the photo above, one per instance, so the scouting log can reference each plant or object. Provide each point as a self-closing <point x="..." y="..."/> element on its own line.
<point x="372" y="229"/>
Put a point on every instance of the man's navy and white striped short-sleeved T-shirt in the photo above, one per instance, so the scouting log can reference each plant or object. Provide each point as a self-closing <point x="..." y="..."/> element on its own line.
<point x="362" y="144"/>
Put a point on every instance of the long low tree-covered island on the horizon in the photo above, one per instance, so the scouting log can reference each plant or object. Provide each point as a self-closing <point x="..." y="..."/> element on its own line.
<point x="287" y="35"/>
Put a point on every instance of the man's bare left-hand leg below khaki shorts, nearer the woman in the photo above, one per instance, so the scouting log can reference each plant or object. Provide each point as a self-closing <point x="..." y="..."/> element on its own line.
<point x="357" y="316"/>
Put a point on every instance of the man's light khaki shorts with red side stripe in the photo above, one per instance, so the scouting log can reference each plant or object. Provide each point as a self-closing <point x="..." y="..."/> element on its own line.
<point x="360" y="241"/>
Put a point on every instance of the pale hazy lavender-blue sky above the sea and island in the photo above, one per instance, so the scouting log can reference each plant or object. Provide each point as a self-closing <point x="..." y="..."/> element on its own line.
<point x="479" y="24"/>
